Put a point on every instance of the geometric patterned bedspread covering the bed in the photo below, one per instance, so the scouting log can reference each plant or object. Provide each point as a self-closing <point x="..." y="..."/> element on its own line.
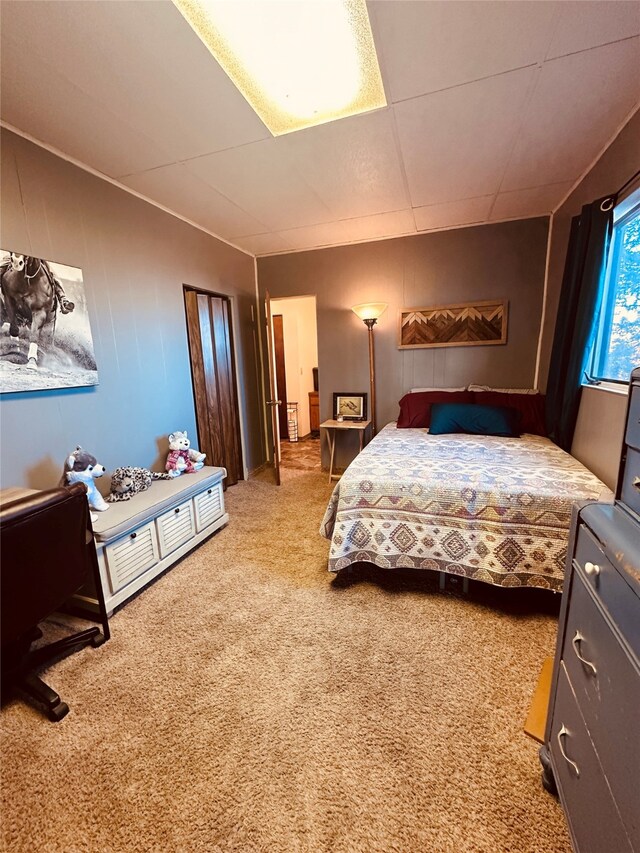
<point x="493" y="509"/>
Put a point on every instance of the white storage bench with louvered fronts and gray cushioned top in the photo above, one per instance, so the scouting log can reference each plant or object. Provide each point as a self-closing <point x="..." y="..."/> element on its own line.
<point x="138" y="539"/>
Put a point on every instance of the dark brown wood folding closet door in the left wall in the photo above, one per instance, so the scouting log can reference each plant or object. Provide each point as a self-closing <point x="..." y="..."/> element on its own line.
<point x="214" y="381"/>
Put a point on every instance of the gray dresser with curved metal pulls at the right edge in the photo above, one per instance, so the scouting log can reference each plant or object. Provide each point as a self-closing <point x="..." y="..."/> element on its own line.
<point x="591" y="756"/>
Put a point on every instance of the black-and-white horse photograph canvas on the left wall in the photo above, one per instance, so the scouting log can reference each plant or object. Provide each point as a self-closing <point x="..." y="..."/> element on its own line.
<point x="45" y="332"/>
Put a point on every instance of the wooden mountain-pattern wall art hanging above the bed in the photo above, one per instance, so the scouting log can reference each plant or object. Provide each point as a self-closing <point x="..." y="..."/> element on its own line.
<point x="465" y="324"/>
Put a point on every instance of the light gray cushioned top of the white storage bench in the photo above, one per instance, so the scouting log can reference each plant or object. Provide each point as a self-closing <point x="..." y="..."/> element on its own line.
<point x="160" y="496"/>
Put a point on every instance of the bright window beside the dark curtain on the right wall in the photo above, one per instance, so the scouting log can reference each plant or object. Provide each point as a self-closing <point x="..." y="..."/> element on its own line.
<point x="616" y="350"/>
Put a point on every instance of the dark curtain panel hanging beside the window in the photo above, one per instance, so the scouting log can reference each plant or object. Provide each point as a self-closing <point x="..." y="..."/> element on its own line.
<point x="578" y="311"/>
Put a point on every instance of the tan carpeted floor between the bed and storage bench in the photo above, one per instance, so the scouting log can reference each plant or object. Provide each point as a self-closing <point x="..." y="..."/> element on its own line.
<point x="248" y="702"/>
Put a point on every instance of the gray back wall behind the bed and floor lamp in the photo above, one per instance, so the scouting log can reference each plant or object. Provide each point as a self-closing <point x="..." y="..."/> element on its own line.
<point x="485" y="262"/>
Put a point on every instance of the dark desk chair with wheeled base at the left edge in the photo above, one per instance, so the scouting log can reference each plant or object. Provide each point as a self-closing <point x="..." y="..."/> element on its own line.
<point x="47" y="553"/>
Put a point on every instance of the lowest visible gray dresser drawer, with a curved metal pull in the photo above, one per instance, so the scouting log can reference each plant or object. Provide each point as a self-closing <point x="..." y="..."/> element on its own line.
<point x="591" y="811"/>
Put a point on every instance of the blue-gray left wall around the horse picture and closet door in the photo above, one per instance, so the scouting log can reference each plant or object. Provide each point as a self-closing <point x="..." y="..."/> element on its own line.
<point x="135" y="259"/>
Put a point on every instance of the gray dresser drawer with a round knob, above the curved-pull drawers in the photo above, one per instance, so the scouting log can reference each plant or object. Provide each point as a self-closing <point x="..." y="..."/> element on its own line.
<point x="609" y="587"/>
